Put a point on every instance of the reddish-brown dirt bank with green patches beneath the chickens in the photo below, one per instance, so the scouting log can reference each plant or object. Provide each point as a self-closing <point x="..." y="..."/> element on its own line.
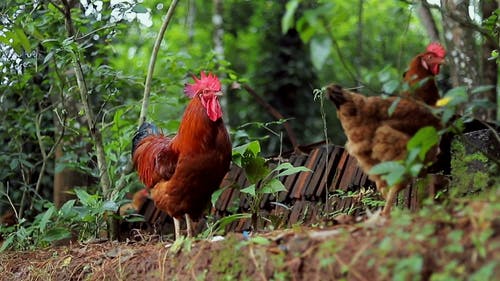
<point x="432" y="244"/>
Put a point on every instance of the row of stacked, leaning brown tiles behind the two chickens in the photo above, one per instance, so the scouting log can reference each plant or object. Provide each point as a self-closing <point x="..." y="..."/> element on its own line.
<point x="304" y="198"/>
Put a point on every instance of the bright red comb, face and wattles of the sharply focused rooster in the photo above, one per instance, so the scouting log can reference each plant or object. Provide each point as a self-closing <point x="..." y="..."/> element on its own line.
<point x="208" y="89"/>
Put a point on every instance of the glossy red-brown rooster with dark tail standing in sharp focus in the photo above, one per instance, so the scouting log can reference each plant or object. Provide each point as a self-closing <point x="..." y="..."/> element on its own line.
<point x="183" y="171"/>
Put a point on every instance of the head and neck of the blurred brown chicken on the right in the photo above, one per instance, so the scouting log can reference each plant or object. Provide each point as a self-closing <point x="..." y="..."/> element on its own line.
<point x="421" y="72"/>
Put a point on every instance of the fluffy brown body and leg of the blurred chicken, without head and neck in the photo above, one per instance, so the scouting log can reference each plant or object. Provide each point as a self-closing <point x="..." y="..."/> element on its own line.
<point x="375" y="136"/>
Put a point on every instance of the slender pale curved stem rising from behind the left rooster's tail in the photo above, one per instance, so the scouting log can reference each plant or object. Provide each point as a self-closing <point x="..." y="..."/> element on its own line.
<point x="152" y="62"/>
